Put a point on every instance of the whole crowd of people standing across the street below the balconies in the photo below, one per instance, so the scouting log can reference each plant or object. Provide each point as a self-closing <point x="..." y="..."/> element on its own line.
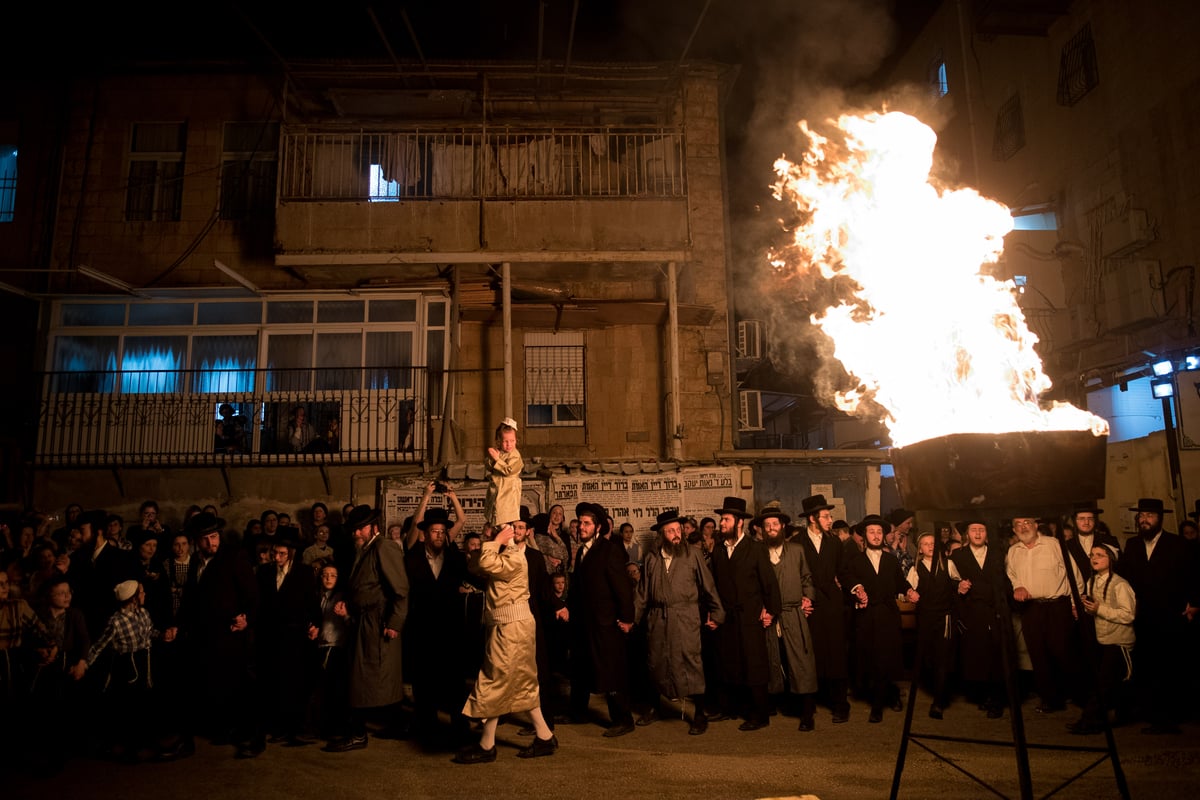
<point x="134" y="641"/>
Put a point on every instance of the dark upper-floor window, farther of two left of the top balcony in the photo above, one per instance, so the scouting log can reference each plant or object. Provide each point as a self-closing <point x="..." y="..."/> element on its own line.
<point x="155" y="190"/>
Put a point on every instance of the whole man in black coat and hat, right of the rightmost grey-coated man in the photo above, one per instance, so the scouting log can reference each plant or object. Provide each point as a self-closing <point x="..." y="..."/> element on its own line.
<point x="826" y="555"/>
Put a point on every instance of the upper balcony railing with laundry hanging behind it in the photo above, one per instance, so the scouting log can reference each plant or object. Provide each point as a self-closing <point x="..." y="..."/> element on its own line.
<point x="502" y="164"/>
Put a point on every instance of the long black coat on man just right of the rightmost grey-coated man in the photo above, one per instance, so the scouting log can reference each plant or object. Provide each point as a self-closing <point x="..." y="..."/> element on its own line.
<point x="829" y="619"/>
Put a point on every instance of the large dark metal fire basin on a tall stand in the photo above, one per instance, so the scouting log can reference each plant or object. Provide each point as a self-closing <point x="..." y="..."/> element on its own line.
<point x="1027" y="471"/>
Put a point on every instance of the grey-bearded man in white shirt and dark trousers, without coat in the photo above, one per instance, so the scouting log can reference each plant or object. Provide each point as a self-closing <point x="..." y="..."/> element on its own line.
<point x="1041" y="585"/>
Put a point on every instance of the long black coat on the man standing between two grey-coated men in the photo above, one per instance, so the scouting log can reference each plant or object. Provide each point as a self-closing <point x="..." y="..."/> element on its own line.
<point x="746" y="584"/>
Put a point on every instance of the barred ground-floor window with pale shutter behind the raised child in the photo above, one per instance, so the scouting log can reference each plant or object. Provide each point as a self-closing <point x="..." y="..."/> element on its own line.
<point x="555" y="380"/>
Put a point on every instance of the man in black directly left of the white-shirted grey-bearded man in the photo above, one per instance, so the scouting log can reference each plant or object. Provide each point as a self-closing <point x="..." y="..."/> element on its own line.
<point x="982" y="591"/>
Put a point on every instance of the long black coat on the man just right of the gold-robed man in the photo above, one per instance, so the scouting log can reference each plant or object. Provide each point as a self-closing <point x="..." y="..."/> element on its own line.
<point x="601" y="597"/>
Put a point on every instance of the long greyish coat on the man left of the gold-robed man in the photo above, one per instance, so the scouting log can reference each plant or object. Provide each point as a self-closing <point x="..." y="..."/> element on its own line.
<point x="377" y="597"/>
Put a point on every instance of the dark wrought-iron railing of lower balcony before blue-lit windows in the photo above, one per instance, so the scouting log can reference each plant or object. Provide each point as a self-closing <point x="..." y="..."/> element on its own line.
<point x="237" y="417"/>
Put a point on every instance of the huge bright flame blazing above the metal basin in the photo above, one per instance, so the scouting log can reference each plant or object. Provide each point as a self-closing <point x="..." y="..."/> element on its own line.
<point x="941" y="347"/>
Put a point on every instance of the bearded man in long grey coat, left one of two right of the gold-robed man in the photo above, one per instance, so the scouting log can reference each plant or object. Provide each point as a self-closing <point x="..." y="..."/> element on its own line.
<point x="676" y="585"/>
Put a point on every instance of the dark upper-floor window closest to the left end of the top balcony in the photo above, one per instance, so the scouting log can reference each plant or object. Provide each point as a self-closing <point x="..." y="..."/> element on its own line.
<point x="249" y="170"/>
